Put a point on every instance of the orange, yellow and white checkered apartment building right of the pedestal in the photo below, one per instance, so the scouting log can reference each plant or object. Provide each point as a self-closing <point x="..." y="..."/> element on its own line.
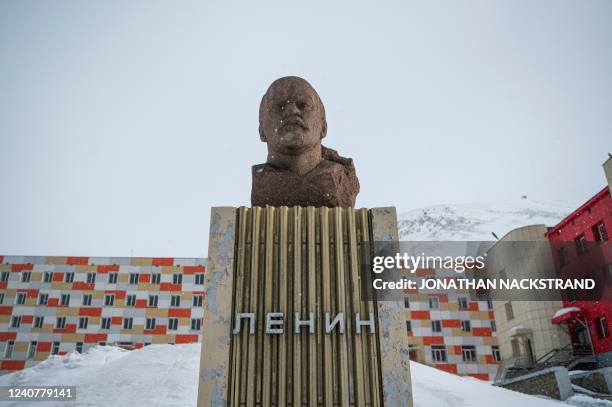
<point x="451" y="331"/>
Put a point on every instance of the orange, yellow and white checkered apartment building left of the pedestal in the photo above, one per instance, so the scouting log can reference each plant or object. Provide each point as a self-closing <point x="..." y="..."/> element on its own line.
<point x="54" y="305"/>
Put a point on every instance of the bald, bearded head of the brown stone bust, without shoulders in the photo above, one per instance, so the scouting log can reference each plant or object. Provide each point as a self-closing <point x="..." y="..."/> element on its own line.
<point x="291" y="118"/>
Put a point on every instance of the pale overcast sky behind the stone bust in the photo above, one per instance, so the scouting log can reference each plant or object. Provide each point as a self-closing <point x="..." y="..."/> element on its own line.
<point x="123" y="122"/>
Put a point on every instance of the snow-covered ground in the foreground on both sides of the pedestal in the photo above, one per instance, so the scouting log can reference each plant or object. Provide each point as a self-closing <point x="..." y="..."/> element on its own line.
<point x="166" y="375"/>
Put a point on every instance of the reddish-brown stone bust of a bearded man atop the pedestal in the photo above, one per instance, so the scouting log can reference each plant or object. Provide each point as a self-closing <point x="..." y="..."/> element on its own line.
<point x="299" y="171"/>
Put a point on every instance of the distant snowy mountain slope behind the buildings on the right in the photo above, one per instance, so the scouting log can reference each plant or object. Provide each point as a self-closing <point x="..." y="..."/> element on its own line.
<point x="476" y="221"/>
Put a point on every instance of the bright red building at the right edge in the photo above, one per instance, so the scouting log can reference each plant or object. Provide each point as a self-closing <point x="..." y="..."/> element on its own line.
<point x="582" y="248"/>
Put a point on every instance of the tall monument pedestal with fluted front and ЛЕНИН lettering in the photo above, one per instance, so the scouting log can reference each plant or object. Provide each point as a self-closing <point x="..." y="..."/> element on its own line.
<point x="285" y="322"/>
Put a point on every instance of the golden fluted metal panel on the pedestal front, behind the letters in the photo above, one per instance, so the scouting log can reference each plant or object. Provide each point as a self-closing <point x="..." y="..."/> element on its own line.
<point x="302" y="260"/>
